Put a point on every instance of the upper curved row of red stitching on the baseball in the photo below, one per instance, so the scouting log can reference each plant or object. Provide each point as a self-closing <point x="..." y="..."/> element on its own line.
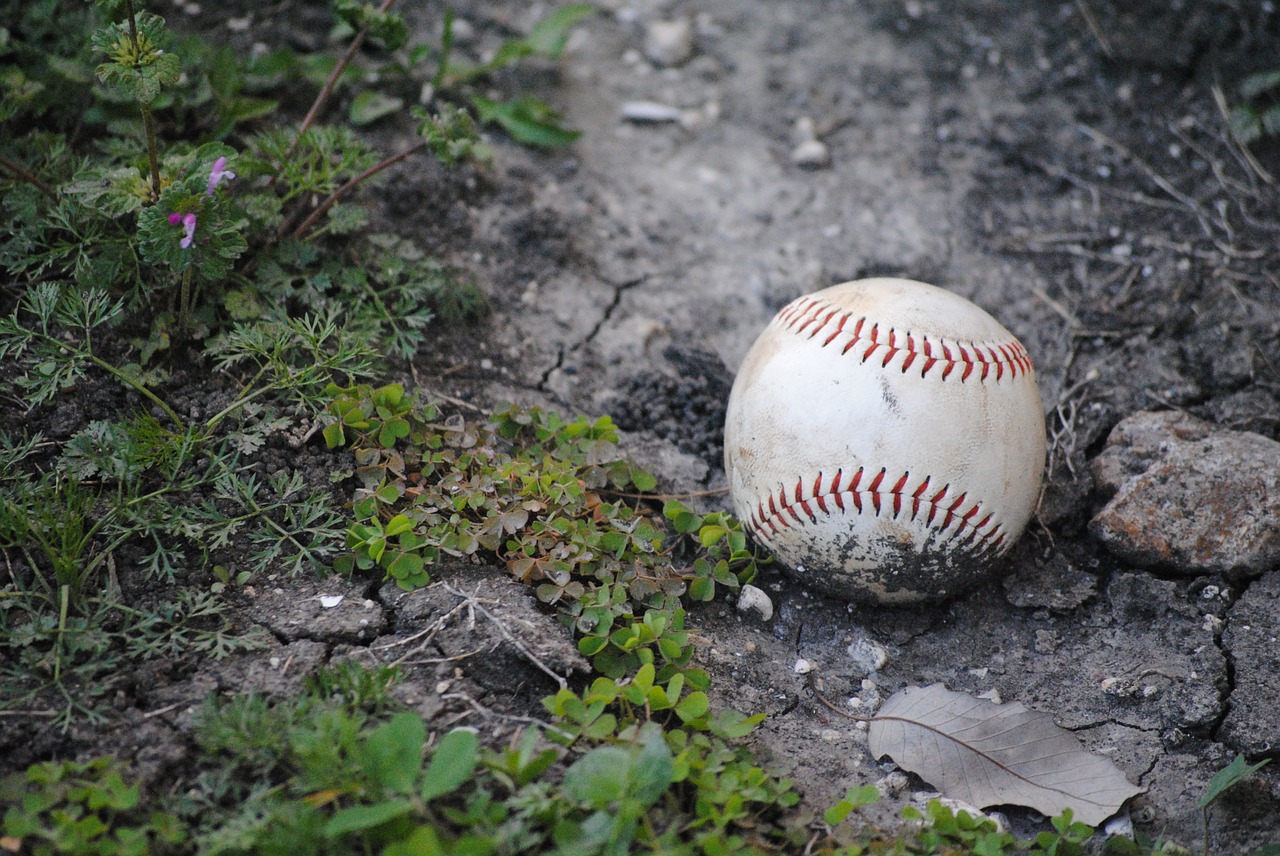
<point x="810" y="318"/>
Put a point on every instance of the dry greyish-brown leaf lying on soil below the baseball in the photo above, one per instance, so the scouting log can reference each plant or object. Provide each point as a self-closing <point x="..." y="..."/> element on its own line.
<point x="989" y="754"/>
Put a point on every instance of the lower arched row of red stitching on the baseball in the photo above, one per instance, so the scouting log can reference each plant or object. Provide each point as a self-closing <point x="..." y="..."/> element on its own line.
<point x="973" y="529"/>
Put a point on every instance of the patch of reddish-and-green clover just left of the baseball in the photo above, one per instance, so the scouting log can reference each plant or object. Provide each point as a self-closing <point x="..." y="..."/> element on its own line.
<point x="536" y="491"/>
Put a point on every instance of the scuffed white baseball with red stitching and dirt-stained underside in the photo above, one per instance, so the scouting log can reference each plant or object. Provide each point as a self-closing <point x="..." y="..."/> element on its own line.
<point x="885" y="441"/>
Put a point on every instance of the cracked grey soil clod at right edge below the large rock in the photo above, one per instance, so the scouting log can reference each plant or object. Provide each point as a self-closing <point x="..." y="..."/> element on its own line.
<point x="1252" y="630"/>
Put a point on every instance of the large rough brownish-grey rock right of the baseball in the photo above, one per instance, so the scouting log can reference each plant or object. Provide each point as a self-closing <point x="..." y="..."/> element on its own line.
<point x="1190" y="497"/>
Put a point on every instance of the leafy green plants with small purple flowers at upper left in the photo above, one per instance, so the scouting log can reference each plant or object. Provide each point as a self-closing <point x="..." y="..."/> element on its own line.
<point x="207" y="231"/>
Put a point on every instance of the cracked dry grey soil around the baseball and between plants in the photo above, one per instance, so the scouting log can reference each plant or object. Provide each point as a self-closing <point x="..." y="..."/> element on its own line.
<point x="1063" y="166"/>
